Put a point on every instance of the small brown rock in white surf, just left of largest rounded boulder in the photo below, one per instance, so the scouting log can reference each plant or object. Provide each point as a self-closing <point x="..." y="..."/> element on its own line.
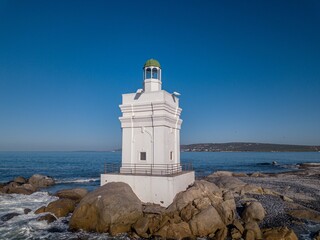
<point x="61" y="207"/>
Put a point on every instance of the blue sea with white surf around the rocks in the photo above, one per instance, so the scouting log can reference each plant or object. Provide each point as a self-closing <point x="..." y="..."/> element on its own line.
<point x="83" y="169"/>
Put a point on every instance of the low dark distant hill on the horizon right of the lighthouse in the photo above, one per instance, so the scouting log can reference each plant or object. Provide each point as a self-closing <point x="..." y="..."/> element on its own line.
<point x="247" y="147"/>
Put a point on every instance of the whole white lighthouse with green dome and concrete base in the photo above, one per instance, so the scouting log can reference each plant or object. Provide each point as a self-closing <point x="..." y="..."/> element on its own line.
<point x="151" y="125"/>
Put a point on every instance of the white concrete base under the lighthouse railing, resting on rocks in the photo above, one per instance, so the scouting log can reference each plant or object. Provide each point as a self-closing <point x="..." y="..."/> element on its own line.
<point x="153" y="189"/>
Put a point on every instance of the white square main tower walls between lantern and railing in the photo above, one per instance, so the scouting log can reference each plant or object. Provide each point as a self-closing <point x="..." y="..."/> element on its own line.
<point x="150" y="123"/>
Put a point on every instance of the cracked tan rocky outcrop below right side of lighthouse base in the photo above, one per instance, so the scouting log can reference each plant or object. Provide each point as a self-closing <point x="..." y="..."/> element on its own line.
<point x="200" y="211"/>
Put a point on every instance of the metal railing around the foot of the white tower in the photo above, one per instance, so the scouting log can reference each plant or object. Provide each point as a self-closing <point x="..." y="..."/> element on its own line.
<point x="147" y="169"/>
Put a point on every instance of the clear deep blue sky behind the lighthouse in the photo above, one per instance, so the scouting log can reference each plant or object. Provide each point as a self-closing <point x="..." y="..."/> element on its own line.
<point x="247" y="71"/>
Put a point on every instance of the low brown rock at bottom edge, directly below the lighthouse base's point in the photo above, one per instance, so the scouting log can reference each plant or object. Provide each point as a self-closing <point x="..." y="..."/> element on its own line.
<point x="175" y="231"/>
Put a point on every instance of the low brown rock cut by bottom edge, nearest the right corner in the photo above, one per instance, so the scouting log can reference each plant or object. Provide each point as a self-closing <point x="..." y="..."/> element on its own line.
<point x="280" y="233"/>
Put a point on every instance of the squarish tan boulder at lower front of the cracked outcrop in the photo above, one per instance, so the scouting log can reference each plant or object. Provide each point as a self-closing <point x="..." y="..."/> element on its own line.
<point x="206" y="222"/>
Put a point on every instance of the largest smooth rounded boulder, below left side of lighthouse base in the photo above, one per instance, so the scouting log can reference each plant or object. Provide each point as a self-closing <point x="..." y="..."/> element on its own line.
<point x="112" y="208"/>
